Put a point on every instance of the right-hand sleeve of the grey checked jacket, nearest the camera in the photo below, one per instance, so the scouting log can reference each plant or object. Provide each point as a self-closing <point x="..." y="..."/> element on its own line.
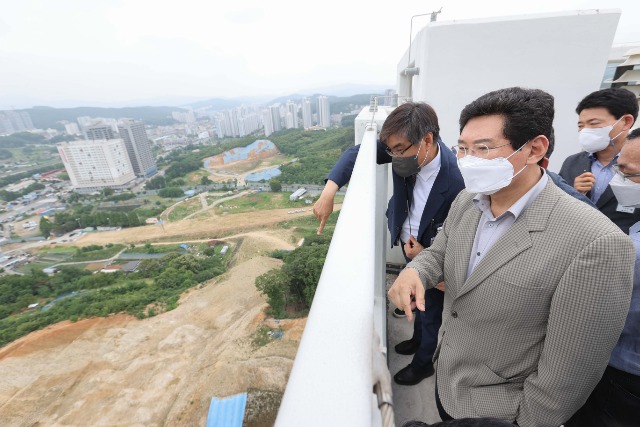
<point x="587" y="314"/>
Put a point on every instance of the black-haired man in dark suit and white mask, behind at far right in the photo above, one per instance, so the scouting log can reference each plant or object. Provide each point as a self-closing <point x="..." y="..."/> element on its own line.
<point x="605" y="117"/>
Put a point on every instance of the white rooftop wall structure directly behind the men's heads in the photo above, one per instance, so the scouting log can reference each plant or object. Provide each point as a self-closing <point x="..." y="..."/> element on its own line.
<point x="562" y="53"/>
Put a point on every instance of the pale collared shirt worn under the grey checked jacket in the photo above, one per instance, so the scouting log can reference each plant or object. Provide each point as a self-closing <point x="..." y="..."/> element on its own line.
<point x="490" y="228"/>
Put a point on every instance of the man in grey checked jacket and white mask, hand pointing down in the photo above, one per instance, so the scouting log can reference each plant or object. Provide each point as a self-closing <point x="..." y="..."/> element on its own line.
<point x="538" y="283"/>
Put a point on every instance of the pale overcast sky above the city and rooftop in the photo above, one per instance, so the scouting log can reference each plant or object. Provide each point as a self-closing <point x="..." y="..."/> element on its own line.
<point x="118" y="52"/>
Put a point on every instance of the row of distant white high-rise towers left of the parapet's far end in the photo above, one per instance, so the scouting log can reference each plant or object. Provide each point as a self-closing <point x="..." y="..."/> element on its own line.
<point x="243" y="121"/>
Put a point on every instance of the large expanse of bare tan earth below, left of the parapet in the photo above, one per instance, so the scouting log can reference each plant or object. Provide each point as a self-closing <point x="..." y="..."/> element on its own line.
<point x="120" y="371"/>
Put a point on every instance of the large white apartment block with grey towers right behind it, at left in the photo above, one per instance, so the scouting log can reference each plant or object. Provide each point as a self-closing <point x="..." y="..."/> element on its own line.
<point x="107" y="157"/>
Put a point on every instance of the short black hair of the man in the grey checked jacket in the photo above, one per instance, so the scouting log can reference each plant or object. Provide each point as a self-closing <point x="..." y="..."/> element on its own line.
<point x="527" y="113"/>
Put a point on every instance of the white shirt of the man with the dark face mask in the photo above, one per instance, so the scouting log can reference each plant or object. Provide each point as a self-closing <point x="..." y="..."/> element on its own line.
<point x="424" y="183"/>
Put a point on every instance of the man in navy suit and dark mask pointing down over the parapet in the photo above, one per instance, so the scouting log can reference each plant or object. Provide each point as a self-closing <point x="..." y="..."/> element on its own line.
<point x="426" y="180"/>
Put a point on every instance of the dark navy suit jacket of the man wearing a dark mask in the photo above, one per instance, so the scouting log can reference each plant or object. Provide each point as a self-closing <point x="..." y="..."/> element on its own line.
<point x="446" y="187"/>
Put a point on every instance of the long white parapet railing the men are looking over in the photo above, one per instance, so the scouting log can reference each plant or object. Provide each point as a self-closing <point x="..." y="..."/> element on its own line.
<point x="337" y="364"/>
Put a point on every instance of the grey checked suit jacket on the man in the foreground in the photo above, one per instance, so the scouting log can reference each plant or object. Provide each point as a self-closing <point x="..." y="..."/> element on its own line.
<point x="528" y="334"/>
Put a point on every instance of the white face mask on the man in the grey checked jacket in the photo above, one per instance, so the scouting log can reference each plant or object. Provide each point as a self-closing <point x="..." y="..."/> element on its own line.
<point x="486" y="176"/>
